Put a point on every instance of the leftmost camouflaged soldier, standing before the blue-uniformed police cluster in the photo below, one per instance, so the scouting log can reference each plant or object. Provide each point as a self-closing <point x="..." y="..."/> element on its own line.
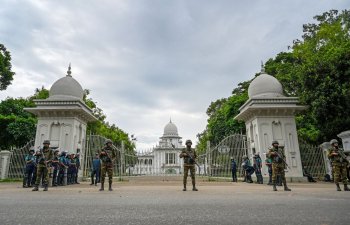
<point x="43" y="165"/>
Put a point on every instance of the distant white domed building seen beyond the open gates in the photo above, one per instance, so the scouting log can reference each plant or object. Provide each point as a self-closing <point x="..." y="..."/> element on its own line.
<point x="164" y="158"/>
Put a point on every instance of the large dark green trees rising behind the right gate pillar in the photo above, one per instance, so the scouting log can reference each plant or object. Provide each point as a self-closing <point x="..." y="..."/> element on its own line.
<point x="316" y="69"/>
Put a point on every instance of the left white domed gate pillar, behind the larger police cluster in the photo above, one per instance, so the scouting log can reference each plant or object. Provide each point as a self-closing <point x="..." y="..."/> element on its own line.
<point x="63" y="117"/>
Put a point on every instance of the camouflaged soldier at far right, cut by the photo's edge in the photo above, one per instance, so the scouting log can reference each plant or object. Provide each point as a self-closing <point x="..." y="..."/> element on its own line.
<point x="339" y="163"/>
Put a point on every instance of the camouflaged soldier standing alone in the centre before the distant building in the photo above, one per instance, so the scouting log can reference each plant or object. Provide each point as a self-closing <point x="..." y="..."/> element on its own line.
<point x="189" y="156"/>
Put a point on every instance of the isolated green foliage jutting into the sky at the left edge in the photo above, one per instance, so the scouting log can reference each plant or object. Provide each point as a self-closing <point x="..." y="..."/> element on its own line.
<point x="6" y="75"/>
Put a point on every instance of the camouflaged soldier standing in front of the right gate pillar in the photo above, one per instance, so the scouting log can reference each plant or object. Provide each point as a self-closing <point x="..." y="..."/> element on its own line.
<point x="278" y="165"/>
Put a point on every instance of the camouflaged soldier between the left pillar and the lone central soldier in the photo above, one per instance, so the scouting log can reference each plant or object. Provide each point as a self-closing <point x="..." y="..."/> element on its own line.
<point x="108" y="156"/>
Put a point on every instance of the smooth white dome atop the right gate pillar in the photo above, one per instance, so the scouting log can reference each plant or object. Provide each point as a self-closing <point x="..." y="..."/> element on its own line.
<point x="266" y="86"/>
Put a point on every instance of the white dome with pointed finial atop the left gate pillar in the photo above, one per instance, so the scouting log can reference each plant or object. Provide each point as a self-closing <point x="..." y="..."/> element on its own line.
<point x="66" y="88"/>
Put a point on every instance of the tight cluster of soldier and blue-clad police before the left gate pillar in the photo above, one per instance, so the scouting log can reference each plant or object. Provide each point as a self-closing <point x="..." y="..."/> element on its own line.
<point x="47" y="162"/>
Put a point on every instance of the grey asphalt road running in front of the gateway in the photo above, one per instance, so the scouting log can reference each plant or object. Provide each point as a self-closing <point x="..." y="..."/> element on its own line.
<point x="162" y="202"/>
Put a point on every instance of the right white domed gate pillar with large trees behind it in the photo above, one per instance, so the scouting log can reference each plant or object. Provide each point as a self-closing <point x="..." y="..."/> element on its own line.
<point x="269" y="115"/>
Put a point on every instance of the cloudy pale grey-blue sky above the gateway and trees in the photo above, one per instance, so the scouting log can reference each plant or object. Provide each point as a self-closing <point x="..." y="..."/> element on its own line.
<point x="146" y="61"/>
